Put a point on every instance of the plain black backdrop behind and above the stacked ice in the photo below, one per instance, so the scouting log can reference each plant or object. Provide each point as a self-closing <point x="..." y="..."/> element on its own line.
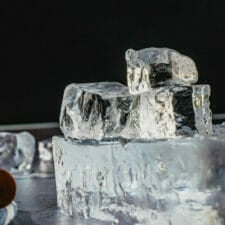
<point x="46" y="46"/>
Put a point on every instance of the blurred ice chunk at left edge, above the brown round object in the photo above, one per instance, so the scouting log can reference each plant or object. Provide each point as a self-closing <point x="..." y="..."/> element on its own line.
<point x="16" y="151"/>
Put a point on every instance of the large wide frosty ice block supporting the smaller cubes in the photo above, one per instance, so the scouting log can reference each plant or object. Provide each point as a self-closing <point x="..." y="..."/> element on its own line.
<point x="180" y="181"/>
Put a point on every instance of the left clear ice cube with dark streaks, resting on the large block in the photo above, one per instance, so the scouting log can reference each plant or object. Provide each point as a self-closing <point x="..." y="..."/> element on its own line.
<point x="94" y="110"/>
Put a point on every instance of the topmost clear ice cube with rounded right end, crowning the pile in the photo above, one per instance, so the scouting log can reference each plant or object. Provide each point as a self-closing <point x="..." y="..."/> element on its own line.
<point x="152" y="67"/>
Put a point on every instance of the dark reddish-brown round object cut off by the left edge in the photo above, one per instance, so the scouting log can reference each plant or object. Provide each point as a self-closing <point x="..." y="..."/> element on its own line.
<point x="7" y="188"/>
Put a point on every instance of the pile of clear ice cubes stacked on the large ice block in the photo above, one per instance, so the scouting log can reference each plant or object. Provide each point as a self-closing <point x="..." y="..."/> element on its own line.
<point x="159" y="102"/>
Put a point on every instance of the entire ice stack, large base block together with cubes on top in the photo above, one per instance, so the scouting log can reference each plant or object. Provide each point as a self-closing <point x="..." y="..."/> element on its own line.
<point x="111" y="167"/>
